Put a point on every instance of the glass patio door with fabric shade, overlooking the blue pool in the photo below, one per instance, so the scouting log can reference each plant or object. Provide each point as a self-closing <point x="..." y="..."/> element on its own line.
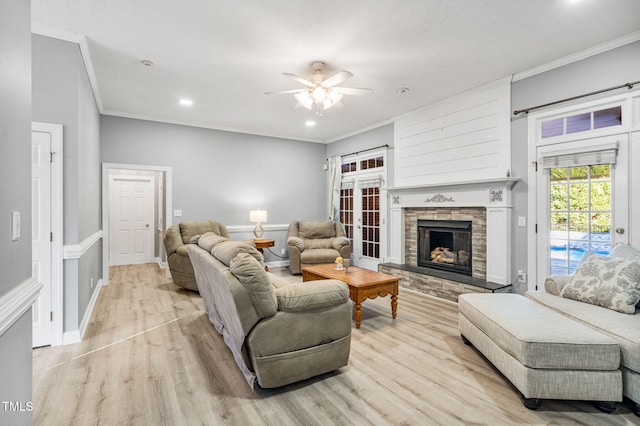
<point x="582" y="201"/>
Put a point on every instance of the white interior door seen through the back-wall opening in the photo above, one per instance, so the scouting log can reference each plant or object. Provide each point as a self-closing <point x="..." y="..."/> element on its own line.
<point x="131" y="219"/>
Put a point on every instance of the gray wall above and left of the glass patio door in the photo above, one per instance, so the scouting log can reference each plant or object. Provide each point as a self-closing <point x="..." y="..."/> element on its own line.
<point x="612" y="68"/>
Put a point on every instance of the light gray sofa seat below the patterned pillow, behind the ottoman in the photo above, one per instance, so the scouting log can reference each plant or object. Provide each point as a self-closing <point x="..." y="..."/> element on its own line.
<point x="624" y="329"/>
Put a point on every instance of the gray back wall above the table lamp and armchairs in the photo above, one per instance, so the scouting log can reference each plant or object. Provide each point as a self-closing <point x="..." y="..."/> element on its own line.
<point x="222" y="175"/>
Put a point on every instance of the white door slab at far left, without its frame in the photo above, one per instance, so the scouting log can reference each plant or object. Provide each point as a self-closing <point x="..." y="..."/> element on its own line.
<point x="41" y="235"/>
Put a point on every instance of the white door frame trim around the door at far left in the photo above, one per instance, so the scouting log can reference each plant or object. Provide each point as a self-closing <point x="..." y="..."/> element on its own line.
<point x="57" y="228"/>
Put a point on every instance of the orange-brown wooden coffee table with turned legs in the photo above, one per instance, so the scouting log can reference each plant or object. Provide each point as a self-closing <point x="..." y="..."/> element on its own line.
<point x="363" y="284"/>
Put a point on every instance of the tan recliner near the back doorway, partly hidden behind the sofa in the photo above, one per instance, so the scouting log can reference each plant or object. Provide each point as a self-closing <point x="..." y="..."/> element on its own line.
<point x="175" y="237"/>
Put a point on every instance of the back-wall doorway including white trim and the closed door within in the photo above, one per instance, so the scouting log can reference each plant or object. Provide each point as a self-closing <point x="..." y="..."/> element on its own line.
<point x="136" y="206"/>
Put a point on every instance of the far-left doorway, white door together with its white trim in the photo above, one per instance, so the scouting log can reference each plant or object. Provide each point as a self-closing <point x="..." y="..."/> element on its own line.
<point x="47" y="232"/>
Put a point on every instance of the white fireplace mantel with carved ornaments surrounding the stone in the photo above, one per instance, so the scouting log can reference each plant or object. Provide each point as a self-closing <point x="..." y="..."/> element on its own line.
<point x="493" y="194"/>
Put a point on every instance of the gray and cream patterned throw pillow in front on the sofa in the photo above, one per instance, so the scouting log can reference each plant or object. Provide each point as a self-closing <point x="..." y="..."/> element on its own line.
<point x="610" y="282"/>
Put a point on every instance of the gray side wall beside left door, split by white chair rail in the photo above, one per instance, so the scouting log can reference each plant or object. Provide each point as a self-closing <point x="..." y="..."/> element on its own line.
<point x="63" y="95"/>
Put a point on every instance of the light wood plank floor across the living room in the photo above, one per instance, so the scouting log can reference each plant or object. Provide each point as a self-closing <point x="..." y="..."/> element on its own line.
<point x="151" y="357"/>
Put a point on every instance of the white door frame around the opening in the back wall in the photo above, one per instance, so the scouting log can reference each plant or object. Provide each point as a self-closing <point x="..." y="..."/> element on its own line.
<point x="168" y="194"/>
